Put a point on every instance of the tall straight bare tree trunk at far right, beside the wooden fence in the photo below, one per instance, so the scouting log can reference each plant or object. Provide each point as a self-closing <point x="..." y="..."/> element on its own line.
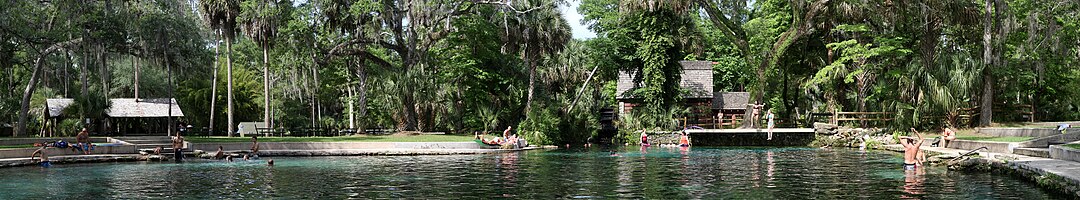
<point x="987" y="113"/>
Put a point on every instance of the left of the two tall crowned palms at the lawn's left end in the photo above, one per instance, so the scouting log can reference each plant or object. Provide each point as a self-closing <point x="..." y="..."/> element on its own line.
<point x="222" y="17"/>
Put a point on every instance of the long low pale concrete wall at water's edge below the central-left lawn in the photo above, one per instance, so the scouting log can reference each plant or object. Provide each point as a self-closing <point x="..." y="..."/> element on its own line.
<point x="319" y="146"/>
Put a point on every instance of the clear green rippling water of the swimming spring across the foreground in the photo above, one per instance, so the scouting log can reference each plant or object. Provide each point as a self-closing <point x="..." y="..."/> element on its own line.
<point x="656" y="174"/>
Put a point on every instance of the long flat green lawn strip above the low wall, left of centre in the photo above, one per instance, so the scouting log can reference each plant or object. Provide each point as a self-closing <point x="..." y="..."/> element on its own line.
<point x="363" y="139"/>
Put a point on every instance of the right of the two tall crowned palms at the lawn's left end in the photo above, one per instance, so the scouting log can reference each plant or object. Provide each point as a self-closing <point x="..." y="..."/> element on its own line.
<point x="261" y="20"/>
